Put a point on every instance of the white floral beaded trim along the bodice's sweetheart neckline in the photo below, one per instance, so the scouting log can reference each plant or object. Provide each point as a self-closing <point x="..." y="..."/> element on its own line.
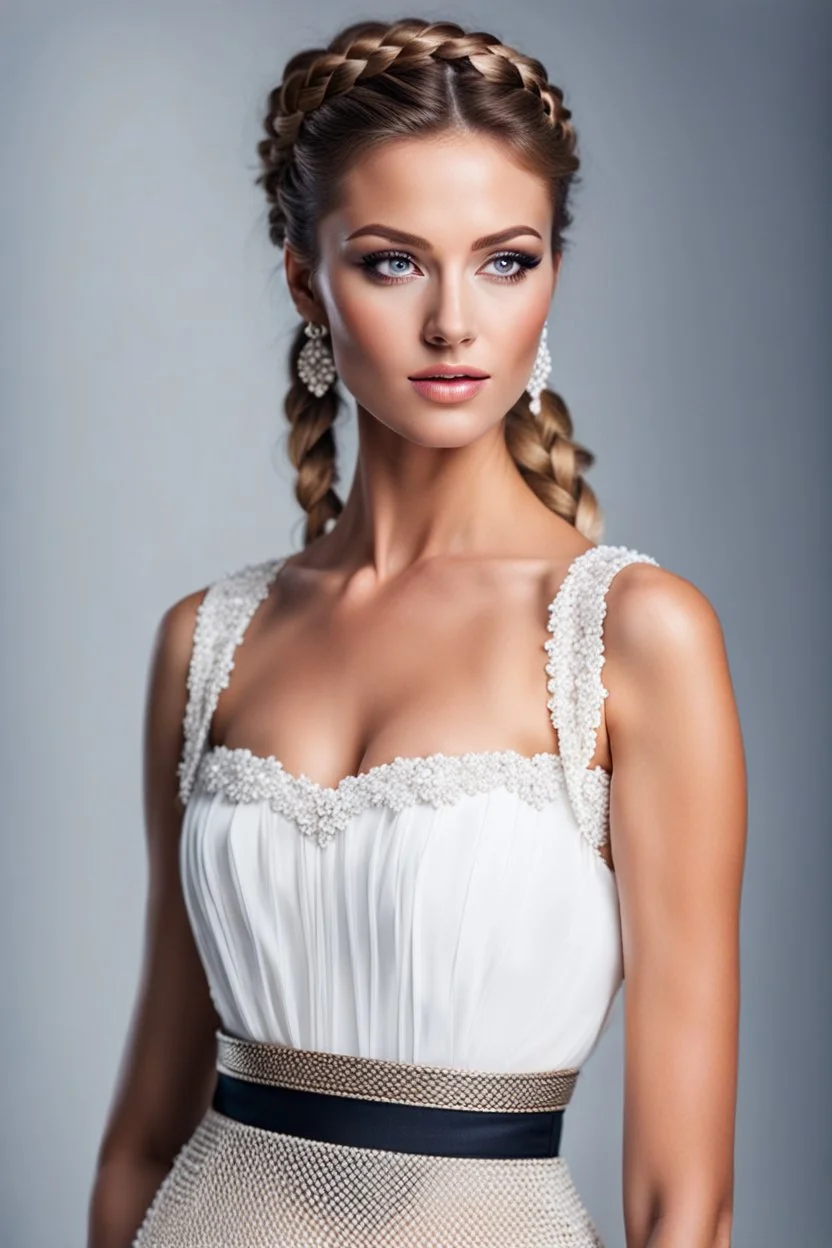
<point x="437" y="779"/>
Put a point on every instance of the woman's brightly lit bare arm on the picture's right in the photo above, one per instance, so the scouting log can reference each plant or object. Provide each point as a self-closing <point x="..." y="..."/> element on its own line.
<point x="678" y="831"/>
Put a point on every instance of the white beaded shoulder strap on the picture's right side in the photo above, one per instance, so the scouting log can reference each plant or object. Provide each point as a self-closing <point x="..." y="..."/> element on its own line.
<point x="576" y="652"/>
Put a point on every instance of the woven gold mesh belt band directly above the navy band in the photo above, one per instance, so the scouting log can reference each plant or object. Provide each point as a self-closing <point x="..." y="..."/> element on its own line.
<point x="372" y="1079"/>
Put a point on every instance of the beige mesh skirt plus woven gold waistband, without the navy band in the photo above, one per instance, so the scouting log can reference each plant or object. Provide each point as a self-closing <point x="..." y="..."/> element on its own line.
<point x="241" y="1186"/>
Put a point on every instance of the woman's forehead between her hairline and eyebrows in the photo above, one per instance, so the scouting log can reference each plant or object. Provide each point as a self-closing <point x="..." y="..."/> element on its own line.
<point x="451" y="188"/>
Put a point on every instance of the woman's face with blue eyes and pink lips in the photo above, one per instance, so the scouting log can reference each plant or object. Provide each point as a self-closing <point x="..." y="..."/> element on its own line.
<point x="438" y="255"/>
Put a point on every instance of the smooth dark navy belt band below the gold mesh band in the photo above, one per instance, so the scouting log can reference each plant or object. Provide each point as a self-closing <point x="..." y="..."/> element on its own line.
<point x="404" y="1129"/>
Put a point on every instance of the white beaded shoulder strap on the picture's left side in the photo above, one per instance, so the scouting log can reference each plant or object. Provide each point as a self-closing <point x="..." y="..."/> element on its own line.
<point x="221" y="621"/>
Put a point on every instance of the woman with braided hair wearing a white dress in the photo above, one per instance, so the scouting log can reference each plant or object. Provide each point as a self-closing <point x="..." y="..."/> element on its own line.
<point x="394" y="888"/>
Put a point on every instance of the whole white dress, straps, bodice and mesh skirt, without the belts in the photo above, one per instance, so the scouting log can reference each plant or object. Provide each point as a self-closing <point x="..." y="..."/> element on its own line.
<point x="446" y="910"/>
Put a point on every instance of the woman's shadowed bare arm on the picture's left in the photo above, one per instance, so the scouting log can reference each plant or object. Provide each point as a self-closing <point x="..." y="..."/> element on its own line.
<point x="168" y="1073"/>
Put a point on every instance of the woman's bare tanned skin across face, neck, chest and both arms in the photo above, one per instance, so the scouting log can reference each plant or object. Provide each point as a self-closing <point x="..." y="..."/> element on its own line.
<point x="436" y="580"/>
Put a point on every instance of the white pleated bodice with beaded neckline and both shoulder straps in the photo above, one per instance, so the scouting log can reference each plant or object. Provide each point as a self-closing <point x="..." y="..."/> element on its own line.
<point x="450" y="910"/>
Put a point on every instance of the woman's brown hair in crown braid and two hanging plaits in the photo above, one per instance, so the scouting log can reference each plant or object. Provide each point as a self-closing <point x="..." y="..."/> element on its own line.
<point x="377" y="82"/>
